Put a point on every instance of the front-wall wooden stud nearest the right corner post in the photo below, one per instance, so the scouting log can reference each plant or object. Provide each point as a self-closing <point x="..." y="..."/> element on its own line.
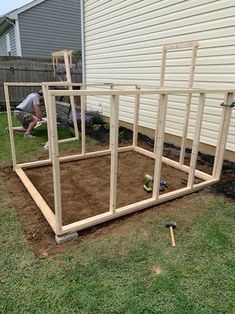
<point x="195" y="147"/>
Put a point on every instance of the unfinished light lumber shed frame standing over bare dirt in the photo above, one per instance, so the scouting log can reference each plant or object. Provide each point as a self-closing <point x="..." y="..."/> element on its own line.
<point x="116" y="90"/>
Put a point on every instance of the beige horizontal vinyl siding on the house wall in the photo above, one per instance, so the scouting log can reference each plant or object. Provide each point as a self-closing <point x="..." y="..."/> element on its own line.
<point x="123" y="44"/>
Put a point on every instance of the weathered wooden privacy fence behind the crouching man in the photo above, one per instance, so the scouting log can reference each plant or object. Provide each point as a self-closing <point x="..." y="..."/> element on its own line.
<point x="30" y="70"/>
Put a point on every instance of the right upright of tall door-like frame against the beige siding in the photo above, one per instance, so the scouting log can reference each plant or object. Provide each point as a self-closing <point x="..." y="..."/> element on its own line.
<point x="188" y="104"/>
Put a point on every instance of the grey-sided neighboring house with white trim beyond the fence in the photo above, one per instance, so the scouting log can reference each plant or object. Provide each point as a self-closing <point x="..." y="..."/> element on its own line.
<point x="41" y="27"/>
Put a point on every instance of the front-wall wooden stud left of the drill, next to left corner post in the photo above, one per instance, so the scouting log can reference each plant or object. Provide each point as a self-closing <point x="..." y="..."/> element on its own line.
<point x="114" y="150"/>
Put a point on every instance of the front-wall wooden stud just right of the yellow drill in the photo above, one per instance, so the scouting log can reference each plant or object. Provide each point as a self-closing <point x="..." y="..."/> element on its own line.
<point x="158" y="143"/>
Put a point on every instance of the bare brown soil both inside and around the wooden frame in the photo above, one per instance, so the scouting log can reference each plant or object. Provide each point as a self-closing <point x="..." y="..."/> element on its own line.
<point x="85" y="193"/>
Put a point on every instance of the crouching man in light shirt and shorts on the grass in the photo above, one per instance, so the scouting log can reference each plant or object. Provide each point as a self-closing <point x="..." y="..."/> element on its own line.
<point x="28" y="112"/>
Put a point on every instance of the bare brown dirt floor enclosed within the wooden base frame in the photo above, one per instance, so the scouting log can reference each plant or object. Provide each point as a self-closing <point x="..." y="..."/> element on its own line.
<point x="85" y="184"/>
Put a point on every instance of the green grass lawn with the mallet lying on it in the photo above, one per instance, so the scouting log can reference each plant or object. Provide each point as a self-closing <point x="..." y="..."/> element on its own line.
<point x="131" y="270"/>
